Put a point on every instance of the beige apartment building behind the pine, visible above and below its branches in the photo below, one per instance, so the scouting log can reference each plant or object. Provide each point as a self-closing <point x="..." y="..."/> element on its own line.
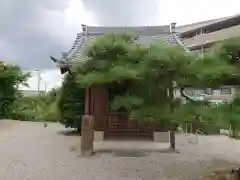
<point x="199" y="37"/>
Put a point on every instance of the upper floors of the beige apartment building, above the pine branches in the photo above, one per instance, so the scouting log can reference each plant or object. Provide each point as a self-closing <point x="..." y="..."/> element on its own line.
<point x="202" y="35"/>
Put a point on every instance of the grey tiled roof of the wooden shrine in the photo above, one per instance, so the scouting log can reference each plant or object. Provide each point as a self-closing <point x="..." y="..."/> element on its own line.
<point x="146" y="34"/>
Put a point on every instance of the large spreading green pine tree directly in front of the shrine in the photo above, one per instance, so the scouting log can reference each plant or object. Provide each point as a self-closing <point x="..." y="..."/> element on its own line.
<point x="152" y="73"/>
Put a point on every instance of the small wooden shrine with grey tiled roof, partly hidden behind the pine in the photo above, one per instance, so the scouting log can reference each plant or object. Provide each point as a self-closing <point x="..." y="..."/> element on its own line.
<point x="114" y="124"/>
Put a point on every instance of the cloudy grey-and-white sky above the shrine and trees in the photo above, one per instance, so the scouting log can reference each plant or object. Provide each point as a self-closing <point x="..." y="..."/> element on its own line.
<point x="33" y="30"/>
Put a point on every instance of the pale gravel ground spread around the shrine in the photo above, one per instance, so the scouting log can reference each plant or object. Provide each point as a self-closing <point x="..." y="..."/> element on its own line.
<point x="31" y="152"/>
